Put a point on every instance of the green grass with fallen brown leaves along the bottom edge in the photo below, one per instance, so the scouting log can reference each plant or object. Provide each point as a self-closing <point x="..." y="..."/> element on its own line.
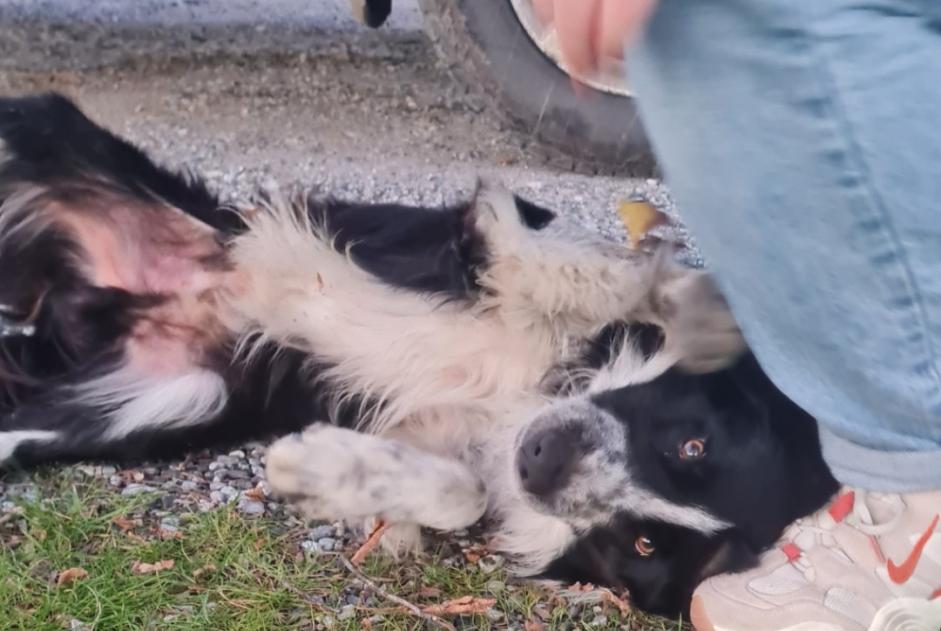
<point x="232" y="572"/>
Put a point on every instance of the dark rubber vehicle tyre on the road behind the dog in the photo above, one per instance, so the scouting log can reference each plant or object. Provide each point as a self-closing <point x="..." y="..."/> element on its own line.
<point x="501" y="56"/>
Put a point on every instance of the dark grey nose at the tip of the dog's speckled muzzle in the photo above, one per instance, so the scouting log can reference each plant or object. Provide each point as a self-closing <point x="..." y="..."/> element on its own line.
<point x="546" y="459"/>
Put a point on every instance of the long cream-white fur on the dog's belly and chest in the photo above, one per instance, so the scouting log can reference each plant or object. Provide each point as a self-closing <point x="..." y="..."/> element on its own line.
<point x="382" y="344"/>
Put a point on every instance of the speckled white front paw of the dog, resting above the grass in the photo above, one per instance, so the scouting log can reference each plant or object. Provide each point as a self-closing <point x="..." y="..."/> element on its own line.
<point x="335" y="473"/>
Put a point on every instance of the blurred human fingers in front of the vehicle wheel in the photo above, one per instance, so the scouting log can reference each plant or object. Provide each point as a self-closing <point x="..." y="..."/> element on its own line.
<point x="592" y="31"/>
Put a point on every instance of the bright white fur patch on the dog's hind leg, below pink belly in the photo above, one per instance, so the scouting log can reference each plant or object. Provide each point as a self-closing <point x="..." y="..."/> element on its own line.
<point x="148" y="403"/>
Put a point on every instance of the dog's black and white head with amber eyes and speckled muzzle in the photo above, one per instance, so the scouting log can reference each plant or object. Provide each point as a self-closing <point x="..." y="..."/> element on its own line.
<point x="673" y="480"/>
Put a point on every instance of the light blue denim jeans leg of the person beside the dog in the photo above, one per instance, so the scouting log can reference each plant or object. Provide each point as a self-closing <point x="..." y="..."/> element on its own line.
<point x="802" y="142"/>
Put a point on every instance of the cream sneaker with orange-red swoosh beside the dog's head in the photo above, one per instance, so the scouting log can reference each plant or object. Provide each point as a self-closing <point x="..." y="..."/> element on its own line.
<point x="868" y="562"/>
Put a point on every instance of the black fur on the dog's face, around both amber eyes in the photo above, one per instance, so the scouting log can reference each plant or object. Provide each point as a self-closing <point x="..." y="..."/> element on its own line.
<point x="757" y="442"/>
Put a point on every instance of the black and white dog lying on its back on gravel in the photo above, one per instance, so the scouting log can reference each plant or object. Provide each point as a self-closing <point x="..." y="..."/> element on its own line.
<point x="447" y="364"/>
